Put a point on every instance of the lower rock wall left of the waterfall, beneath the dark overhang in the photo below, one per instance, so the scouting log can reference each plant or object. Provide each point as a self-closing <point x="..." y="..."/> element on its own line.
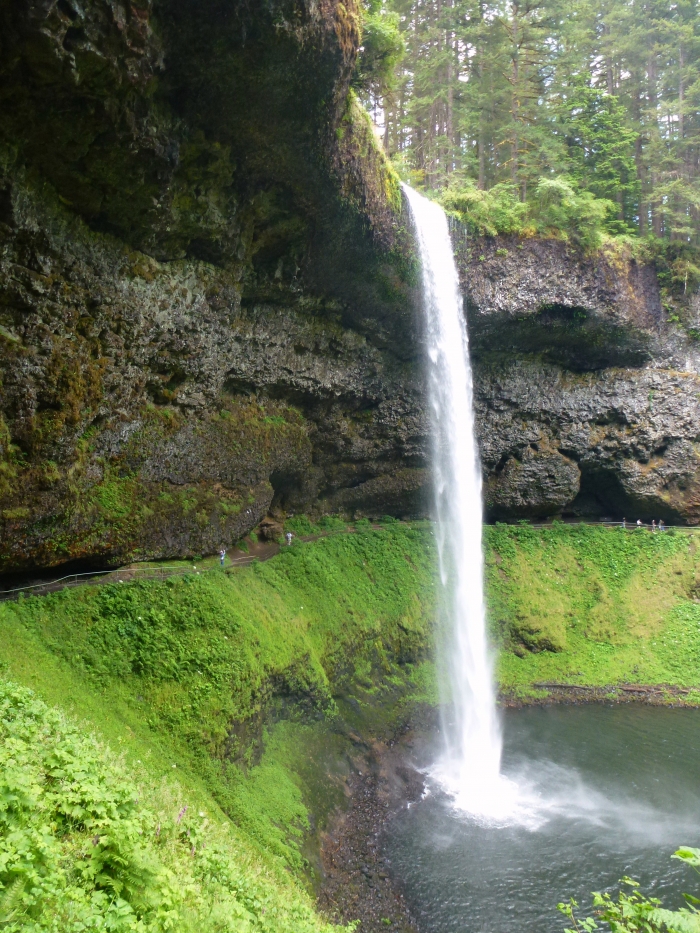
<point x="156" y="409"/>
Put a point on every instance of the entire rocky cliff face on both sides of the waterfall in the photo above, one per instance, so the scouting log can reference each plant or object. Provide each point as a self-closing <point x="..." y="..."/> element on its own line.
<point x="208" y="302"/>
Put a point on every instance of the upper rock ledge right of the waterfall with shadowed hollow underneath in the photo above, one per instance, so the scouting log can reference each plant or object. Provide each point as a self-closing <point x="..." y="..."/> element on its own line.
<point x="545" y="299"/>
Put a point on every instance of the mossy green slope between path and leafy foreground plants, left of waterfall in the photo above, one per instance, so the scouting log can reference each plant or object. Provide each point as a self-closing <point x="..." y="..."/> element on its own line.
<point x="203" y="662"/>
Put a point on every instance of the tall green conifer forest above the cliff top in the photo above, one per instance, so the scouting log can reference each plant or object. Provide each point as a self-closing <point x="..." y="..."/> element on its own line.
<point x="533" y="115"/>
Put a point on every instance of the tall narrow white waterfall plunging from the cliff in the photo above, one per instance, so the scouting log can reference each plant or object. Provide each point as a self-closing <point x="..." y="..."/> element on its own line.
<point x="469" y="769"/>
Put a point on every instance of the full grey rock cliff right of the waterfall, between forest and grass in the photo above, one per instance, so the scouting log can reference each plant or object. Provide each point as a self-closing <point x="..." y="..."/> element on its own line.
<point x="587" y="396"/>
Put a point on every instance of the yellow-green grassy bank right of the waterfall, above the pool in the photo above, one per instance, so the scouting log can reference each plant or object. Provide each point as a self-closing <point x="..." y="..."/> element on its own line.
<point x="576" y="604"/>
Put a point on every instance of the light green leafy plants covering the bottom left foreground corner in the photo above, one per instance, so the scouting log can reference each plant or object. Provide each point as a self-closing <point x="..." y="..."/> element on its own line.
<point x="84" y="848"/>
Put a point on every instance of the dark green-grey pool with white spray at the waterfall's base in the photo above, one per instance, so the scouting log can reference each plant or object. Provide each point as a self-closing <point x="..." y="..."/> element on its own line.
<point x="605" y="791"/>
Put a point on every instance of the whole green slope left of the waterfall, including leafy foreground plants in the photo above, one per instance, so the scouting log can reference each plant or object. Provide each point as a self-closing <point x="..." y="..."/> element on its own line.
<point x="234" y="695"/>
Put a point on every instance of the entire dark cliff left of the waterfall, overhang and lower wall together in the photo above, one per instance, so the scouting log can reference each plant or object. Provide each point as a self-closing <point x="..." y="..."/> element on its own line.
<point x="206" y="304"/>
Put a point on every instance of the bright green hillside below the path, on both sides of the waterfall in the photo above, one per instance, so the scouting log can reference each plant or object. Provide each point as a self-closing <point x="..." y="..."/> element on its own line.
<point x="206" y="725"/>
